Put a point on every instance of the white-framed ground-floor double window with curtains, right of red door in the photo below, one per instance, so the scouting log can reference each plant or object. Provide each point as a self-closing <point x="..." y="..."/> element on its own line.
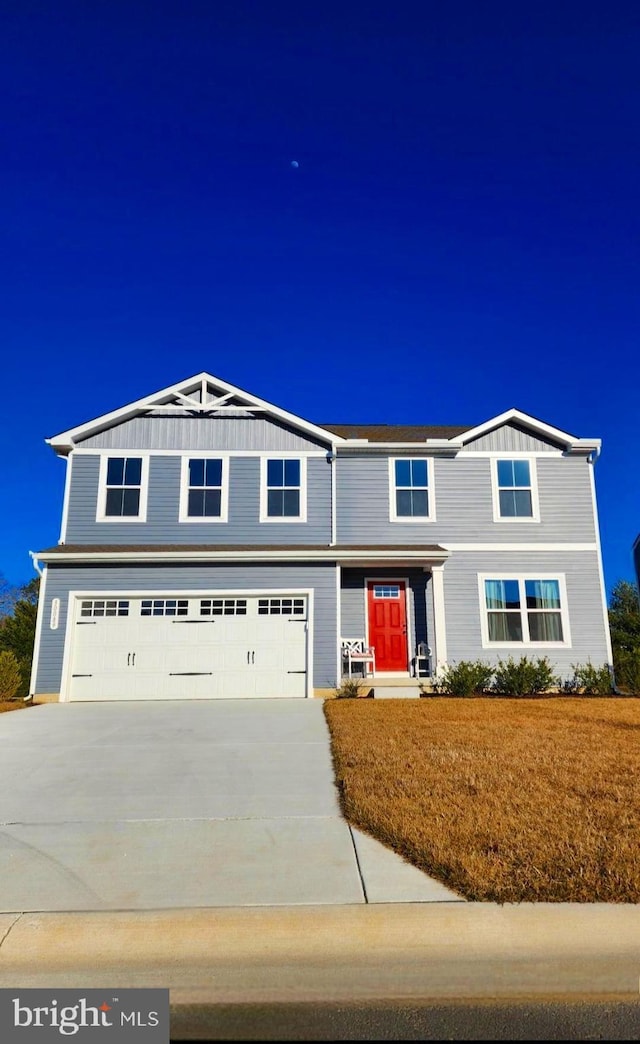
<point x="524" y="611"/>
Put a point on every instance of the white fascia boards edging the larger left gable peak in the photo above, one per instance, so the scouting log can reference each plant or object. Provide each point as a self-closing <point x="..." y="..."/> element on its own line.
<point x="66" y="440"/>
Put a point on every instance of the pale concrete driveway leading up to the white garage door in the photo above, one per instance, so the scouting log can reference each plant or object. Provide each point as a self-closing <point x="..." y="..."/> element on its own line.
<point x="159" y="805"/>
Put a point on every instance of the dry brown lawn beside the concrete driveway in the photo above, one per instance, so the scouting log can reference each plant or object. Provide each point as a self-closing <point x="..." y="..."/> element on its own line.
<point x="502" y="800"/>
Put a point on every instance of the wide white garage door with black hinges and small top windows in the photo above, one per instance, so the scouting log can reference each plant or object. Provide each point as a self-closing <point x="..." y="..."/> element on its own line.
<point x="199" y="648"/>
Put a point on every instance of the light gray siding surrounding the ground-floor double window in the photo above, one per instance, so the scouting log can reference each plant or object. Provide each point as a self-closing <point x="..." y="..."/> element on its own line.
<point x="585" y="606"/>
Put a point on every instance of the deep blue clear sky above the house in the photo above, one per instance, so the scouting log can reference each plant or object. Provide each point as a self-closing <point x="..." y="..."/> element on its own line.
<point x="462" y="234"/>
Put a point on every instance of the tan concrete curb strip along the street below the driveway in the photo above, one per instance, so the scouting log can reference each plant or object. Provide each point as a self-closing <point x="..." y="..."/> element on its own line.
<point x="324" y="954"/>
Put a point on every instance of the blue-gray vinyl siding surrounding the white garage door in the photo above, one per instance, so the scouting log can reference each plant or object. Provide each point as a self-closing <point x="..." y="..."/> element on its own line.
<point x="320" y="578"/>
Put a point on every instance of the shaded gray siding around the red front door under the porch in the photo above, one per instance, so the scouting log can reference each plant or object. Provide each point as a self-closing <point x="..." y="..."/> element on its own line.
<point x="353" y="602"/>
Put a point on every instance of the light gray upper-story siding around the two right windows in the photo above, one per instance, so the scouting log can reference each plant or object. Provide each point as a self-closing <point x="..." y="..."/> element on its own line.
<point x="462" y="488"/>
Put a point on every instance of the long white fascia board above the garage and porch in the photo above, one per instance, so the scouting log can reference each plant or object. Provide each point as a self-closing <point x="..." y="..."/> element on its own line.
<point x="231" y="555"/>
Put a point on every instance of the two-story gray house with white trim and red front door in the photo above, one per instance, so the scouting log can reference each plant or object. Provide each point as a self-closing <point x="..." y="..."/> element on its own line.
<point x="214" y="545"/>
